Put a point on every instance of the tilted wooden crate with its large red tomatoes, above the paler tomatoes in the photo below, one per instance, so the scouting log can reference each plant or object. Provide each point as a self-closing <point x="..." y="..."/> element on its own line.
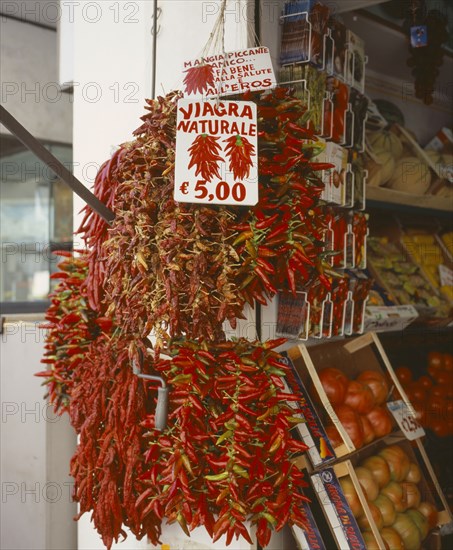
<point x="327" y="437"/>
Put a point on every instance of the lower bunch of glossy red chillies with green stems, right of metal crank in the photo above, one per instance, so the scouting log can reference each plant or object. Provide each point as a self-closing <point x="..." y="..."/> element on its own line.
<point x="229" y="418"/>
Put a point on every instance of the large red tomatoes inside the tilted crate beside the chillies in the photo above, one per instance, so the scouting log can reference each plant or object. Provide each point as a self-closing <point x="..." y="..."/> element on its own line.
<point x="359" y="405"/>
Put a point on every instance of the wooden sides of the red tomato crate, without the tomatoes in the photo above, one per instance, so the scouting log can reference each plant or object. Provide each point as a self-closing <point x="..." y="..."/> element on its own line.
<point x="352" y="356"/>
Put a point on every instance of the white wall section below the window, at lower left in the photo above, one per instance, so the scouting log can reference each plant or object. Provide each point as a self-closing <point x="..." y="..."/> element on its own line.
<point x="36" y="447"/>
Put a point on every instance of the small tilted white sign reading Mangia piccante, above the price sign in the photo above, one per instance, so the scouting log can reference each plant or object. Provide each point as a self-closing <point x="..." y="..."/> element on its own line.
<point x="229" y="73"/>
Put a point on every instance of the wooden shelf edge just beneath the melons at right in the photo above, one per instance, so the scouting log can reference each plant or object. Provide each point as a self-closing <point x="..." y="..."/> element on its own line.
<point x="381" y="195"/>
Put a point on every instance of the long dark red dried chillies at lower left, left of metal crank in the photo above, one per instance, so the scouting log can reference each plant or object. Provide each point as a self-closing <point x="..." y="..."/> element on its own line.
<point x="106" y="409"/>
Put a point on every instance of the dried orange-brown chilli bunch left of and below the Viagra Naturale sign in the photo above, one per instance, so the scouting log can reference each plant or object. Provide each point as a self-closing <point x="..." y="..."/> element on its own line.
<point x="169" y="266"/>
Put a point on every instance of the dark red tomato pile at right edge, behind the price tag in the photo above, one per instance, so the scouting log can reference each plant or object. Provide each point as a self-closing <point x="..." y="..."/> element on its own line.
<point x="432" y="394"/>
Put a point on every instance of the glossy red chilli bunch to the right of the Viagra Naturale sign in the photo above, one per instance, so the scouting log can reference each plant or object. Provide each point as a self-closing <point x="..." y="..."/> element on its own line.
<point x="283" y="237"/>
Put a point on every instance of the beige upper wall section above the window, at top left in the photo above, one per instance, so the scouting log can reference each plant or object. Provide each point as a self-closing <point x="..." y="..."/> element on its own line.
<point x="29" y="81"/>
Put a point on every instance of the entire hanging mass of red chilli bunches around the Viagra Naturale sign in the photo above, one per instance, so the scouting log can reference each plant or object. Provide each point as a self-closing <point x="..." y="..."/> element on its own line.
<point x="181" y="270"/>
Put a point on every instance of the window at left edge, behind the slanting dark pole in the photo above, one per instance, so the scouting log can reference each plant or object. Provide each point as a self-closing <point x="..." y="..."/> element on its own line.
<point x="36" y="218"/>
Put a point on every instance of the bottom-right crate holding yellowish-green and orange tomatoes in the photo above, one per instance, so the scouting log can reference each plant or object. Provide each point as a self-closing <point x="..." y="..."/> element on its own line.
<point x="357" y="524"/>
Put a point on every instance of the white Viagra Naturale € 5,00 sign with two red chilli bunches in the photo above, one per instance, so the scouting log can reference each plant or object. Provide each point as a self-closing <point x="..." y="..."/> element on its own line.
<point x="216" y="152"/>
